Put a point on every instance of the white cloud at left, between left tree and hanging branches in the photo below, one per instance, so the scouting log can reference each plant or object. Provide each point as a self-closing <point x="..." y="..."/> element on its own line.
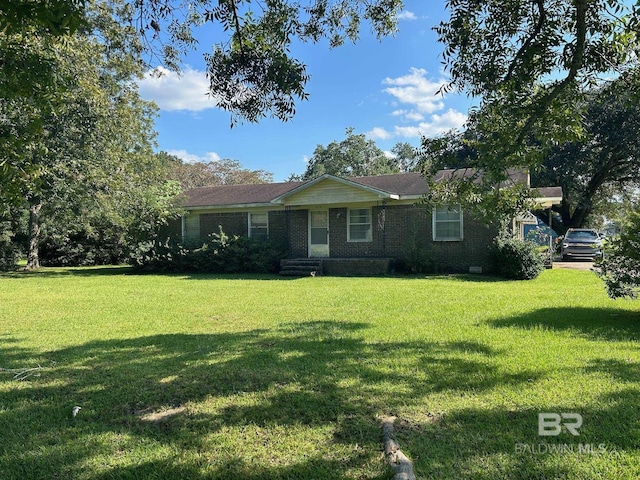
<point x="173" y="92"/>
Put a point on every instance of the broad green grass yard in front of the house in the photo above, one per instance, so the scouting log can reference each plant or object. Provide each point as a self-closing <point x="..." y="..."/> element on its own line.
<point x="209" y="377"/>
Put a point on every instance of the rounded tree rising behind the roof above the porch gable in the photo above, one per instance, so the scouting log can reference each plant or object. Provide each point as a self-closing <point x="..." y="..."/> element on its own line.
<point x="355" y="156"/>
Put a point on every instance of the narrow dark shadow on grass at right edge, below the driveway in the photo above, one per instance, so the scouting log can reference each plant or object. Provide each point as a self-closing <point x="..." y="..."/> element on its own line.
<point x="593" y="323"/>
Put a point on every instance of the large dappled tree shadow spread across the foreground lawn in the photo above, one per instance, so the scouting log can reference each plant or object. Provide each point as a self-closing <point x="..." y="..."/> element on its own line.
<point x="213" y="394"/>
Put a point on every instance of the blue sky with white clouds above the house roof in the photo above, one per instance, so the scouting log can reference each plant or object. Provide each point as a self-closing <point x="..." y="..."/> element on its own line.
<point x="384" y="89"/>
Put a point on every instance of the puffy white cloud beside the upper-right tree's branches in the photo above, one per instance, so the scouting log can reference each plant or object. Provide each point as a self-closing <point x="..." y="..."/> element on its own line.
<point x="416" y="90"/>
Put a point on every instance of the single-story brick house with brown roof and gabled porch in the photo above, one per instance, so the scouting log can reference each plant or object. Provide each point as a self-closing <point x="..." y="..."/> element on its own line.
<point x="349" y="225"/>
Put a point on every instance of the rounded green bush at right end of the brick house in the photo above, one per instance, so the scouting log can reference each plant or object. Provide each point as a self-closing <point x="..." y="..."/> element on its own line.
<point x="517" y="259"/>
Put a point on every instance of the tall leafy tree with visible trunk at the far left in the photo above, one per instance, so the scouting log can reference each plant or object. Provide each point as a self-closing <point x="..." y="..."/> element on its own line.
<point x="84" y="142"/>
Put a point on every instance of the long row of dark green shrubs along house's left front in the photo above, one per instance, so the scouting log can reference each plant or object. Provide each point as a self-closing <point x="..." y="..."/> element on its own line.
<point x="217" y="254"/>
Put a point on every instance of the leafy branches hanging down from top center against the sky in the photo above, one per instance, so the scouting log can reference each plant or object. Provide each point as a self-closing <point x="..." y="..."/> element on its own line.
<point x="251" y="69"/>
